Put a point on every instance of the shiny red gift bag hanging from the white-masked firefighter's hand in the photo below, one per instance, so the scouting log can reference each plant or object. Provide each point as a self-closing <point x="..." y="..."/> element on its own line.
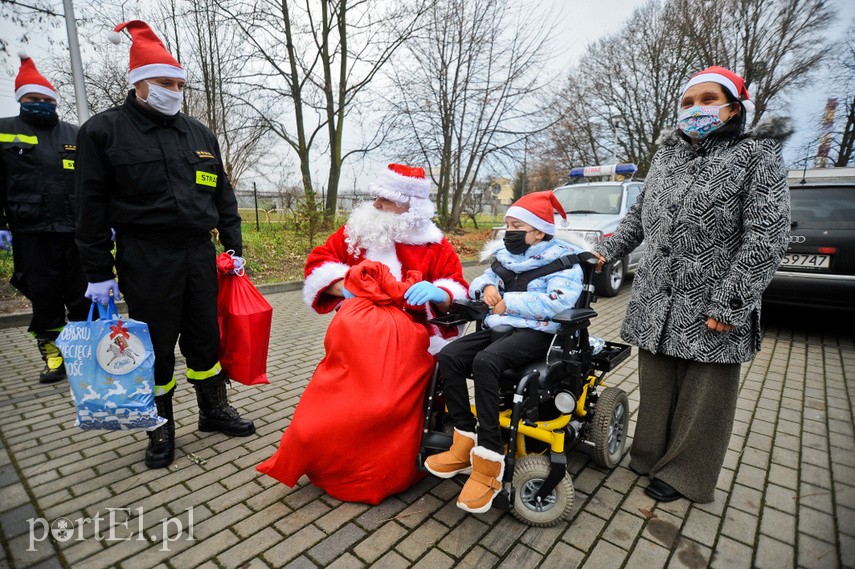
<point x="245" y="317"/>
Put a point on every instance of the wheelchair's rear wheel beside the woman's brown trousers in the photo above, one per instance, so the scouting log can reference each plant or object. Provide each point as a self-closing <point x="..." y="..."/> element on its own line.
<point x="610" y="423"/>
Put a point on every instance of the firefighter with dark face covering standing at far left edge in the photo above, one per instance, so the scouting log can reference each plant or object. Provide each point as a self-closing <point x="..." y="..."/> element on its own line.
<point x="36" y="202"/>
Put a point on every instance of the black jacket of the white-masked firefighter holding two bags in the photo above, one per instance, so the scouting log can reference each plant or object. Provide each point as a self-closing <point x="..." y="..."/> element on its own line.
<point x="151" y="177"/>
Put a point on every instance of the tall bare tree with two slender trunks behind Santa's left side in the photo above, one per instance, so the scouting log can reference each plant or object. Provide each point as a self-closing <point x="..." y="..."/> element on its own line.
<point x="320" y="58"/>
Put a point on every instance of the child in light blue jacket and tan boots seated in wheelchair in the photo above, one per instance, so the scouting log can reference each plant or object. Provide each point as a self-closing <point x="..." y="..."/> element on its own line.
<point x="533" y="278"/>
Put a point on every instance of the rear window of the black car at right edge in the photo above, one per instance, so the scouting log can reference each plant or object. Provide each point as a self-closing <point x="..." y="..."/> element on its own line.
<point x="822" y="208"/>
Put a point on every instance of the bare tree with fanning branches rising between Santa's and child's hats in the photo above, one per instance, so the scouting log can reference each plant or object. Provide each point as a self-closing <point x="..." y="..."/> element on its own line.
<point x="466" y="93"/>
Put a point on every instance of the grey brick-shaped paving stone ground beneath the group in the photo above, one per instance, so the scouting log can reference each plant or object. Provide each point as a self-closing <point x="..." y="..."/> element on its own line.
<point x="786" y="496"/>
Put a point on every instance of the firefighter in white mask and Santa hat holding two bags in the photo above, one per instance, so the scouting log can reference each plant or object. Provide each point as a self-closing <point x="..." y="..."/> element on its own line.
<point x="156" y="176"/>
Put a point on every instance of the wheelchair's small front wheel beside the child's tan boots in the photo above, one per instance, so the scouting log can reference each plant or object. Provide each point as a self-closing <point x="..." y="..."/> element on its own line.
<point x="529" y="474"/>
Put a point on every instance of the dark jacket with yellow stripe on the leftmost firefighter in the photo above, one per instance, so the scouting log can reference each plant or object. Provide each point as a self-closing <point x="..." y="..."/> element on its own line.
<point x="37" y="176"/>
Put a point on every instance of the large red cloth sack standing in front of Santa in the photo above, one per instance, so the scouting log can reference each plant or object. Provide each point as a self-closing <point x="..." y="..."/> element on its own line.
<point x="357" y="427"/>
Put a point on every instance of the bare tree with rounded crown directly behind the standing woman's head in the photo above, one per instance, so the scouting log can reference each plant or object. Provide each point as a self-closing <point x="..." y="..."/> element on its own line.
<point x="624" y="91"/>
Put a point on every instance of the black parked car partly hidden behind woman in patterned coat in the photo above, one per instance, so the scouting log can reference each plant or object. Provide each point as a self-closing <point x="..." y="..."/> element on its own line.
<point x="818" y="270"/>
